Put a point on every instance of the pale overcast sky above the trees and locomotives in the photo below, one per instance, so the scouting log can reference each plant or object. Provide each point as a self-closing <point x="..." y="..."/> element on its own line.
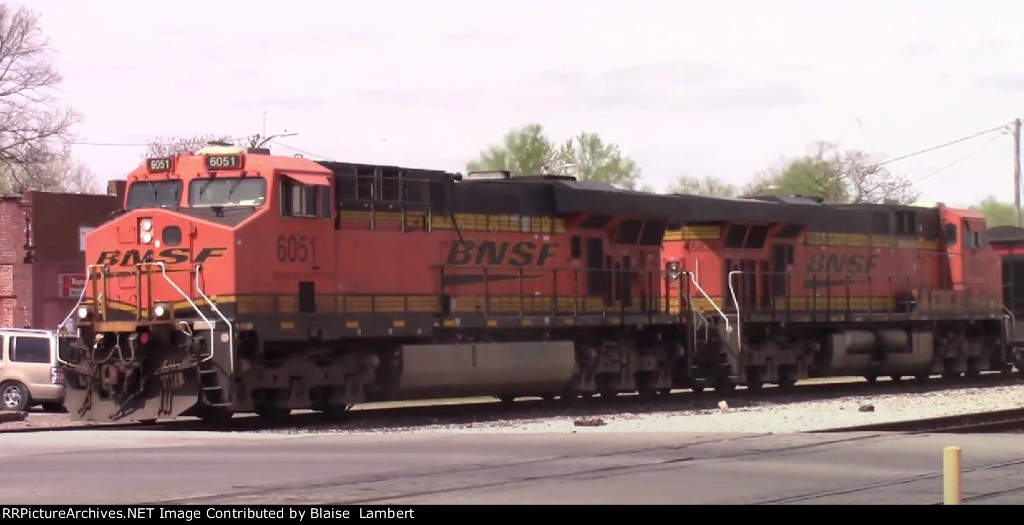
<point x="711" y="89"/>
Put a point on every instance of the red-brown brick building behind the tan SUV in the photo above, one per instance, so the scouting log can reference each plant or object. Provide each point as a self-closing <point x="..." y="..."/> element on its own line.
<point x="42" y="258"/>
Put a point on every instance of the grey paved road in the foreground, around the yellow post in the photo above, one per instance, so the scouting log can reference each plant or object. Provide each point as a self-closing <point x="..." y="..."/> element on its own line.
<point x="872" y="468"/>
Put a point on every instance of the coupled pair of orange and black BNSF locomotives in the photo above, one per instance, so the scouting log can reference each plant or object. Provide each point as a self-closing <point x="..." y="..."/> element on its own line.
<point x="235" y="281"/>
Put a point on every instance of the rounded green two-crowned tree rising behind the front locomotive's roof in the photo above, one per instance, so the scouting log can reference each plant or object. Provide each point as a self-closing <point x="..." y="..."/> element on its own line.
<point x="529" y="151"/>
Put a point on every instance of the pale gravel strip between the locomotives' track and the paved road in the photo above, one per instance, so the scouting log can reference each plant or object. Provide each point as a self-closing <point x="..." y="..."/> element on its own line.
<point x="788" y="415"/>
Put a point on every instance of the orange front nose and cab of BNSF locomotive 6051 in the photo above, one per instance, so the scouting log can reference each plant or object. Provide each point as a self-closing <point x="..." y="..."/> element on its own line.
<point x="158" y="315"/>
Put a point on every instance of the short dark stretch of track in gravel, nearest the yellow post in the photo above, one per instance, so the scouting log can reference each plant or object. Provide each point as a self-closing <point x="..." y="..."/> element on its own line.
<point x="1011" y="420"/>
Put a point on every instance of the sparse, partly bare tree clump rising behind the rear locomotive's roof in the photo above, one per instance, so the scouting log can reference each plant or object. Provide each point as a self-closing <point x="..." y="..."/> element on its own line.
<point x="837" y="177"/>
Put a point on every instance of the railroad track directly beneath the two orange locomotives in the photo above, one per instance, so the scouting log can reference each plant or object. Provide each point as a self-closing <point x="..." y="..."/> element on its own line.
<point x="374" y="417"/>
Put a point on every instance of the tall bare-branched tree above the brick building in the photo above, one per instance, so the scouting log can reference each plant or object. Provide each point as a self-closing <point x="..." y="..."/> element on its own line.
<point x="32" y="120"/>
